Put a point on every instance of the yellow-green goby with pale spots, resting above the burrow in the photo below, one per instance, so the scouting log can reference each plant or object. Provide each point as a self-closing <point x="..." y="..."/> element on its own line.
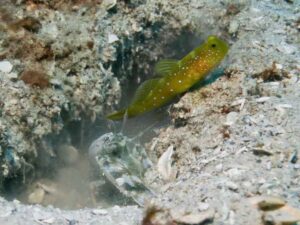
<point x="175" y="77"/>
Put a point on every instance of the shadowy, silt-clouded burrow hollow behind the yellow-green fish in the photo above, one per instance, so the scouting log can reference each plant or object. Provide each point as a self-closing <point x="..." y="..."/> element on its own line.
<point x="65" y="177"/>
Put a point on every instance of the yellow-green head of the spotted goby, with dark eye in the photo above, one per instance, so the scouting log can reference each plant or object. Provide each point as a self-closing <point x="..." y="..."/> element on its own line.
<point x="214" y="49"/>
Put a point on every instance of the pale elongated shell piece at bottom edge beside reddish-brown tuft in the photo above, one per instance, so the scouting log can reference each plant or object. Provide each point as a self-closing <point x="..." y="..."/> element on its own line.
<point x="193" y="218"/>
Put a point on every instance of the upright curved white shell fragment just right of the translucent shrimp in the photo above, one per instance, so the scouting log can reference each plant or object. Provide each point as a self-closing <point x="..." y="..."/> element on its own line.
<point x="164" y="165"/>
